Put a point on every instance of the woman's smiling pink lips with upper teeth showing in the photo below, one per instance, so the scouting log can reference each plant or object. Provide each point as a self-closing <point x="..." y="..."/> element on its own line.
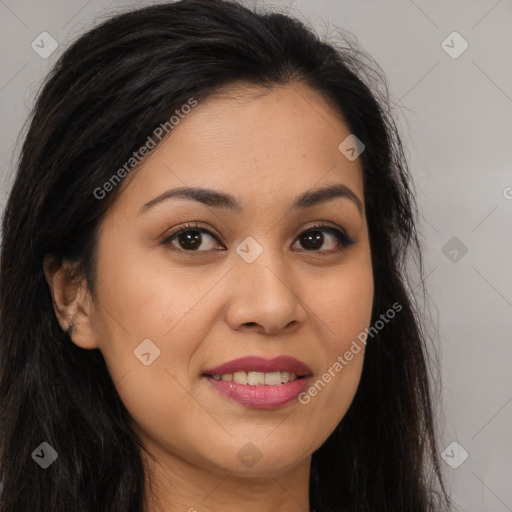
<point x="260" y="383"/>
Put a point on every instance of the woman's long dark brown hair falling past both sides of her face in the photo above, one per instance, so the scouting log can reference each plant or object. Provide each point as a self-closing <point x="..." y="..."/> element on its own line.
<point x="106" y="94"/>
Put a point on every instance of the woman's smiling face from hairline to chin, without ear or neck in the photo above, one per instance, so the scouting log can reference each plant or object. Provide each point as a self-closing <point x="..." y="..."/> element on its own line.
<point x="260" y="280"/>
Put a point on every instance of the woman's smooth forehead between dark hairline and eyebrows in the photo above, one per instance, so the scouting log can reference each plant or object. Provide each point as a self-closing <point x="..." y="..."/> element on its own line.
<point x="259" y="144"/>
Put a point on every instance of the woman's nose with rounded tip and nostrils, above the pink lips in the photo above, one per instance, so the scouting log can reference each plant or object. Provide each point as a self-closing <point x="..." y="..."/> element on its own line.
<point x="264" y="296"/>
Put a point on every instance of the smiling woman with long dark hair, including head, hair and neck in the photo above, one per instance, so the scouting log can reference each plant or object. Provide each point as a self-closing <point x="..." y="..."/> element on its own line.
<point x="204" y="302"/>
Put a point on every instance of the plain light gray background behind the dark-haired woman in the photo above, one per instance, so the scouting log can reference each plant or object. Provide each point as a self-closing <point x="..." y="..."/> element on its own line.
<point x="455" y="118"/>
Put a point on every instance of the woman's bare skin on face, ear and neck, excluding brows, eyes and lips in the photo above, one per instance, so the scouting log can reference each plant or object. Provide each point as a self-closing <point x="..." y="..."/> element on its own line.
<point x="203" y="308"/>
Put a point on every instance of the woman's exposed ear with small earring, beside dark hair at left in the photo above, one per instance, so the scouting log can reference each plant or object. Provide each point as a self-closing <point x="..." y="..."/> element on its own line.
<point x="71" y="301"/>
